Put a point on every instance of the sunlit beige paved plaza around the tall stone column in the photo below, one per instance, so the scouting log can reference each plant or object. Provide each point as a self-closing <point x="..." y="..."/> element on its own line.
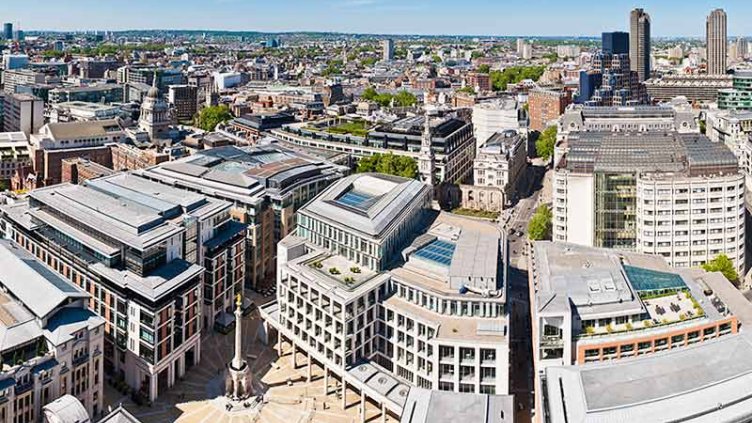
<point x="289" y="397"/>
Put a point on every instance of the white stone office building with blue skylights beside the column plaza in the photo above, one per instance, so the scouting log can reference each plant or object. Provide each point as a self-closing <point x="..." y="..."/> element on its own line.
<point x="376" y="287"/>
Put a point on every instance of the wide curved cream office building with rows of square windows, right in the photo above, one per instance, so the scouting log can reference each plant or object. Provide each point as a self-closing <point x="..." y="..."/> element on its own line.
<point x="680" y="196"/>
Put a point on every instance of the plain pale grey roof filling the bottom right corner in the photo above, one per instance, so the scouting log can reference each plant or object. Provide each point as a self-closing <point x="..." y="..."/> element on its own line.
<point x="704" y="382"/>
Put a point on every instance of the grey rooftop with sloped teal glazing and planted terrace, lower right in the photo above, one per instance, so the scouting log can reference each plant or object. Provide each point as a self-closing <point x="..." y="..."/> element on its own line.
<point x="600" y="283"/>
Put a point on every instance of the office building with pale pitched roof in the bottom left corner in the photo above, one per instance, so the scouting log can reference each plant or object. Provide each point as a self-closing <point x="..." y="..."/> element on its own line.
<point x="52" y="344"/>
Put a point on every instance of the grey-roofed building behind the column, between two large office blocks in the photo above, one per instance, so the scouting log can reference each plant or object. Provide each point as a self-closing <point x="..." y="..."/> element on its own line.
<point x="266" y="185"/>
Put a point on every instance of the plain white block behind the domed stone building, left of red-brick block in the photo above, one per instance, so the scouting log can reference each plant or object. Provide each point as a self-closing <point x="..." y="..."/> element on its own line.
<point x="490" y="117"/>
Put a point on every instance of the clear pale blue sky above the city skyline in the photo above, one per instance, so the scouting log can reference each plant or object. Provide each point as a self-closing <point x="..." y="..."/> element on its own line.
<point x="436" y="17"/>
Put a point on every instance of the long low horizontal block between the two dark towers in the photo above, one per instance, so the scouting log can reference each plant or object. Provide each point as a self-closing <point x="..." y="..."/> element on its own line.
<point x="696" y="88"/>
